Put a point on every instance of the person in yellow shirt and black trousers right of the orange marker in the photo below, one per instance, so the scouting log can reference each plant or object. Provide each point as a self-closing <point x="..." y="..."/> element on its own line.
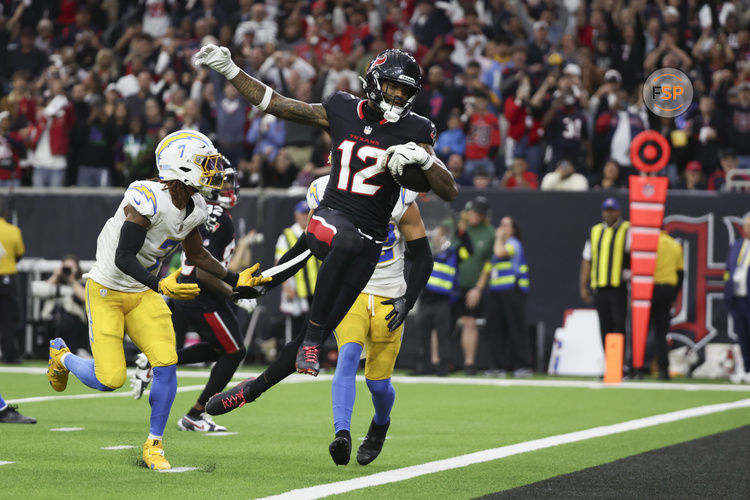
<point x="668" y="276"/>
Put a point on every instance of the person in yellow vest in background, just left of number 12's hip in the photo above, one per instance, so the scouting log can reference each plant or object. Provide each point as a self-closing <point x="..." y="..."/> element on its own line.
<point x="297" y="291"/>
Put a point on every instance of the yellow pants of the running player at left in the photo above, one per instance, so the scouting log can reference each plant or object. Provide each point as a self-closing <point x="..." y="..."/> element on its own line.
<point x="143" y="315"/>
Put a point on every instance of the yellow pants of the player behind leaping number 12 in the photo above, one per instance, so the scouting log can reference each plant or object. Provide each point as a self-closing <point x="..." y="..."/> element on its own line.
<point x="365" y="325"/>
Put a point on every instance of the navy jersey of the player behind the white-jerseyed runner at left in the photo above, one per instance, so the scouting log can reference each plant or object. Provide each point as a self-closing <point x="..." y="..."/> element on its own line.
<point x="218" y="238"/>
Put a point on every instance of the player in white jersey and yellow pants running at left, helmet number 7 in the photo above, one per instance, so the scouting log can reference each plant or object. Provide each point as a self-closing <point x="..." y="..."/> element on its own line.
<point x="122" y="289"/>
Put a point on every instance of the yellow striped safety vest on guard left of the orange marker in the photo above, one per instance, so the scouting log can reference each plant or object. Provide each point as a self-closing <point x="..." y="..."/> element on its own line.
<point x="607" y="254"/>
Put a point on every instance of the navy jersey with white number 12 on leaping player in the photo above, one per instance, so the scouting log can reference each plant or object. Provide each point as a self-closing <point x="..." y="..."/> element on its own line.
<point x="358" y="188"/>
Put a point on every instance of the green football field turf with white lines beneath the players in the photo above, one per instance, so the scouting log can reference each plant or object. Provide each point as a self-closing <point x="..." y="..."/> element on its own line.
<point x="280" y="443"/>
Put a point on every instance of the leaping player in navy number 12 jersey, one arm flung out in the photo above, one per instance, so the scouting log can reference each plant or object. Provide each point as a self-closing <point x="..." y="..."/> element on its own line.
<point x="371" y="138"/>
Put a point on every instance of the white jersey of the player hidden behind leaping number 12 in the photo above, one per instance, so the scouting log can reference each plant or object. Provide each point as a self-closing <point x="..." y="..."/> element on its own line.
<point x="388" y="278"/>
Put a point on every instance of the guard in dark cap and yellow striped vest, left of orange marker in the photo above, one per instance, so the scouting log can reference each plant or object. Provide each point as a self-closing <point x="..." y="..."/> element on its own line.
<point x="606" y="257"/>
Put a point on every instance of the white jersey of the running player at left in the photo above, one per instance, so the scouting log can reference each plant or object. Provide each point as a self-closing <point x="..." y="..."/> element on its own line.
<point x="168" y="228"/>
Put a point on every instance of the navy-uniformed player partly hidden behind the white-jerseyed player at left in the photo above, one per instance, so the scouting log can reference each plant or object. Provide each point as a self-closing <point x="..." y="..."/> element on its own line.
<point x="211" y="314"/>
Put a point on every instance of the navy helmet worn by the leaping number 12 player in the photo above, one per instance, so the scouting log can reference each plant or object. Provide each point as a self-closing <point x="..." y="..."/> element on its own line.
<point x="396" y="66"/>
